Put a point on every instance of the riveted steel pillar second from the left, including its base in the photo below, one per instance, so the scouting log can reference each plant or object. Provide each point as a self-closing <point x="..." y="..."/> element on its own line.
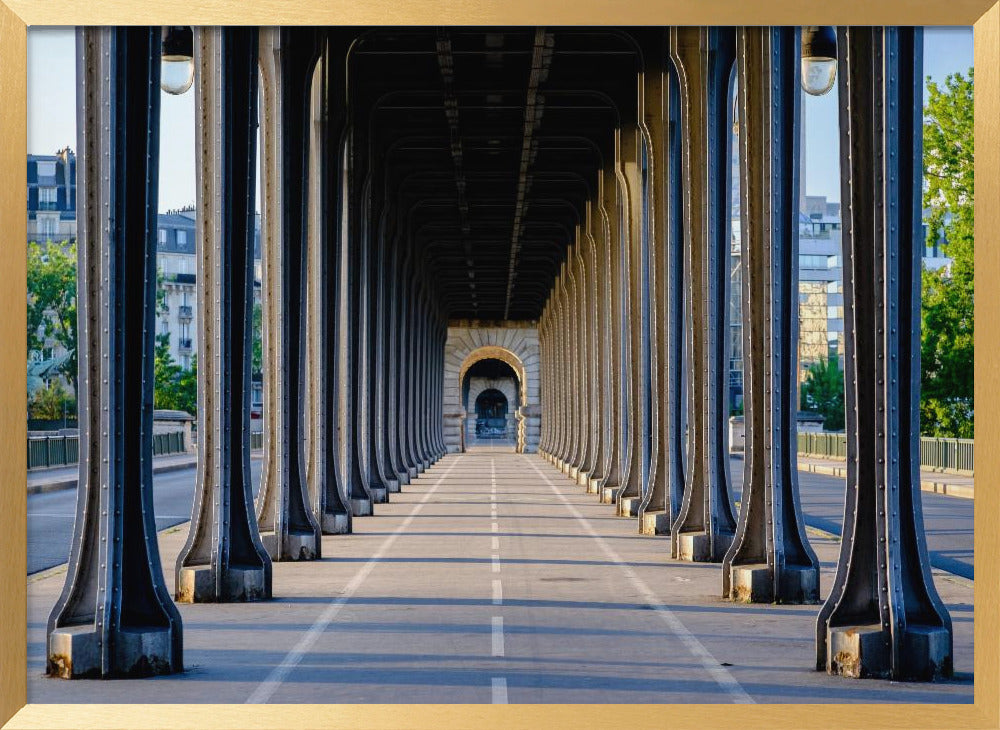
<point x="223" y="558"/>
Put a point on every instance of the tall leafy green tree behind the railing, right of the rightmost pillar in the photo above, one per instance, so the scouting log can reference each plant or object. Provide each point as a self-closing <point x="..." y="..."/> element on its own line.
<point x="946" y="341"/>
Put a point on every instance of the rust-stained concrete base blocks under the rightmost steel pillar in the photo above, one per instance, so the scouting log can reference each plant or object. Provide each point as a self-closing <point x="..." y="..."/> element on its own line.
<point x="861" y="652"/>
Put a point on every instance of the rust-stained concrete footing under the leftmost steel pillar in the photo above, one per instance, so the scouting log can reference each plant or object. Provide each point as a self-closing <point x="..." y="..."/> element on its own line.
<point x="75" y="652"/>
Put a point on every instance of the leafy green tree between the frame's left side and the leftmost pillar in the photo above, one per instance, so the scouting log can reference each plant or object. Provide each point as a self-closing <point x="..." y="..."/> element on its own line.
<point x="52" y="300"/>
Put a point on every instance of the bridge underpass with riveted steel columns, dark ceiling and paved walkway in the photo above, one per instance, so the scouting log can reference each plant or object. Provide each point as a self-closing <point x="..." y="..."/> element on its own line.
<point x="556" y="199"/>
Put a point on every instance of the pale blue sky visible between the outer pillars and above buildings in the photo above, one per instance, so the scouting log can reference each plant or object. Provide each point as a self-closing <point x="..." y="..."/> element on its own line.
<point x="52" y="112"/>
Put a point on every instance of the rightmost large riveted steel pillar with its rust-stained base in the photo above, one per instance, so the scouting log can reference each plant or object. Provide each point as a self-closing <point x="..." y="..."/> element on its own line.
<point x="883" y="617"/>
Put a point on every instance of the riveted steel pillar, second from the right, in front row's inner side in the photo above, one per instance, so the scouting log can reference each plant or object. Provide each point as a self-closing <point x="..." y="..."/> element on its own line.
<point x="770" y="560"/>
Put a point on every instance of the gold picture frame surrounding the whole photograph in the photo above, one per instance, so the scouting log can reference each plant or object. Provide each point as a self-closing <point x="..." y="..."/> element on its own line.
<point x="16" y="15"/>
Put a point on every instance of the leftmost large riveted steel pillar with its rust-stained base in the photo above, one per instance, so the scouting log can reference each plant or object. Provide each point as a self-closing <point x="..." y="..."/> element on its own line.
<point x="114" y="617"/>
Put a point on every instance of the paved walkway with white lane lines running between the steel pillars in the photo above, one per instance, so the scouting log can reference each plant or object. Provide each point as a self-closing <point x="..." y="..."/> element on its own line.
<point x="493" y="578"/>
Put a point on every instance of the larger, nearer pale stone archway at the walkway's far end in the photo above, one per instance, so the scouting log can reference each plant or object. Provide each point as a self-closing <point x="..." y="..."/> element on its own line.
<point x="515" y="345"/>
